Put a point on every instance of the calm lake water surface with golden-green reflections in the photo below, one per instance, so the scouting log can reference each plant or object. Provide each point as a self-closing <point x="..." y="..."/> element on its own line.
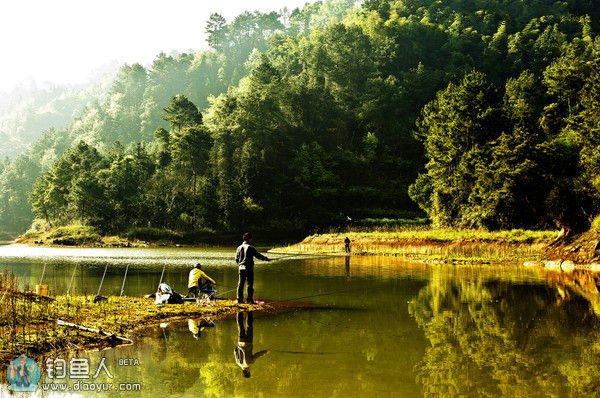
<point x="379" y="327"/>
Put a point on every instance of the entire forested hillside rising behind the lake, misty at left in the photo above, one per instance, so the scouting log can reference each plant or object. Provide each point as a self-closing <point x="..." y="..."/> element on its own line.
<point x="481" y="114"/>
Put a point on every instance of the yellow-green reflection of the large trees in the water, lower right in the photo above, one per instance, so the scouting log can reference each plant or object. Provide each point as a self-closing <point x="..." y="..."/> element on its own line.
<point x="494" y="338"/>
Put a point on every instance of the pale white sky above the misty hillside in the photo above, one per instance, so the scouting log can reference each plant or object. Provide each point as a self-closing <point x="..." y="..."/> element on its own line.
<point x="67" y="41"/>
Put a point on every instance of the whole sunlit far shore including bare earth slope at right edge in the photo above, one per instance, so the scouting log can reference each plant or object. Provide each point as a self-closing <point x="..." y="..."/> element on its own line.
<point x="461" y="246"/>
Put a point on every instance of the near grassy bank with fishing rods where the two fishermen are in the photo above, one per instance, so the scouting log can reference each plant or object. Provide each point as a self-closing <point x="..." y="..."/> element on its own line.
<point x="28" y="322"/>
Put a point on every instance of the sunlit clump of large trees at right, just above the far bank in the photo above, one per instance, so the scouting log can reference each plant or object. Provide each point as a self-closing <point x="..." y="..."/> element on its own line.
<point x="520" y="161"/>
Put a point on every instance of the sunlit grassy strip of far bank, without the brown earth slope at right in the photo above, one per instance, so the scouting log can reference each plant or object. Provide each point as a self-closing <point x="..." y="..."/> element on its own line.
<point x="432" y="244"/>
